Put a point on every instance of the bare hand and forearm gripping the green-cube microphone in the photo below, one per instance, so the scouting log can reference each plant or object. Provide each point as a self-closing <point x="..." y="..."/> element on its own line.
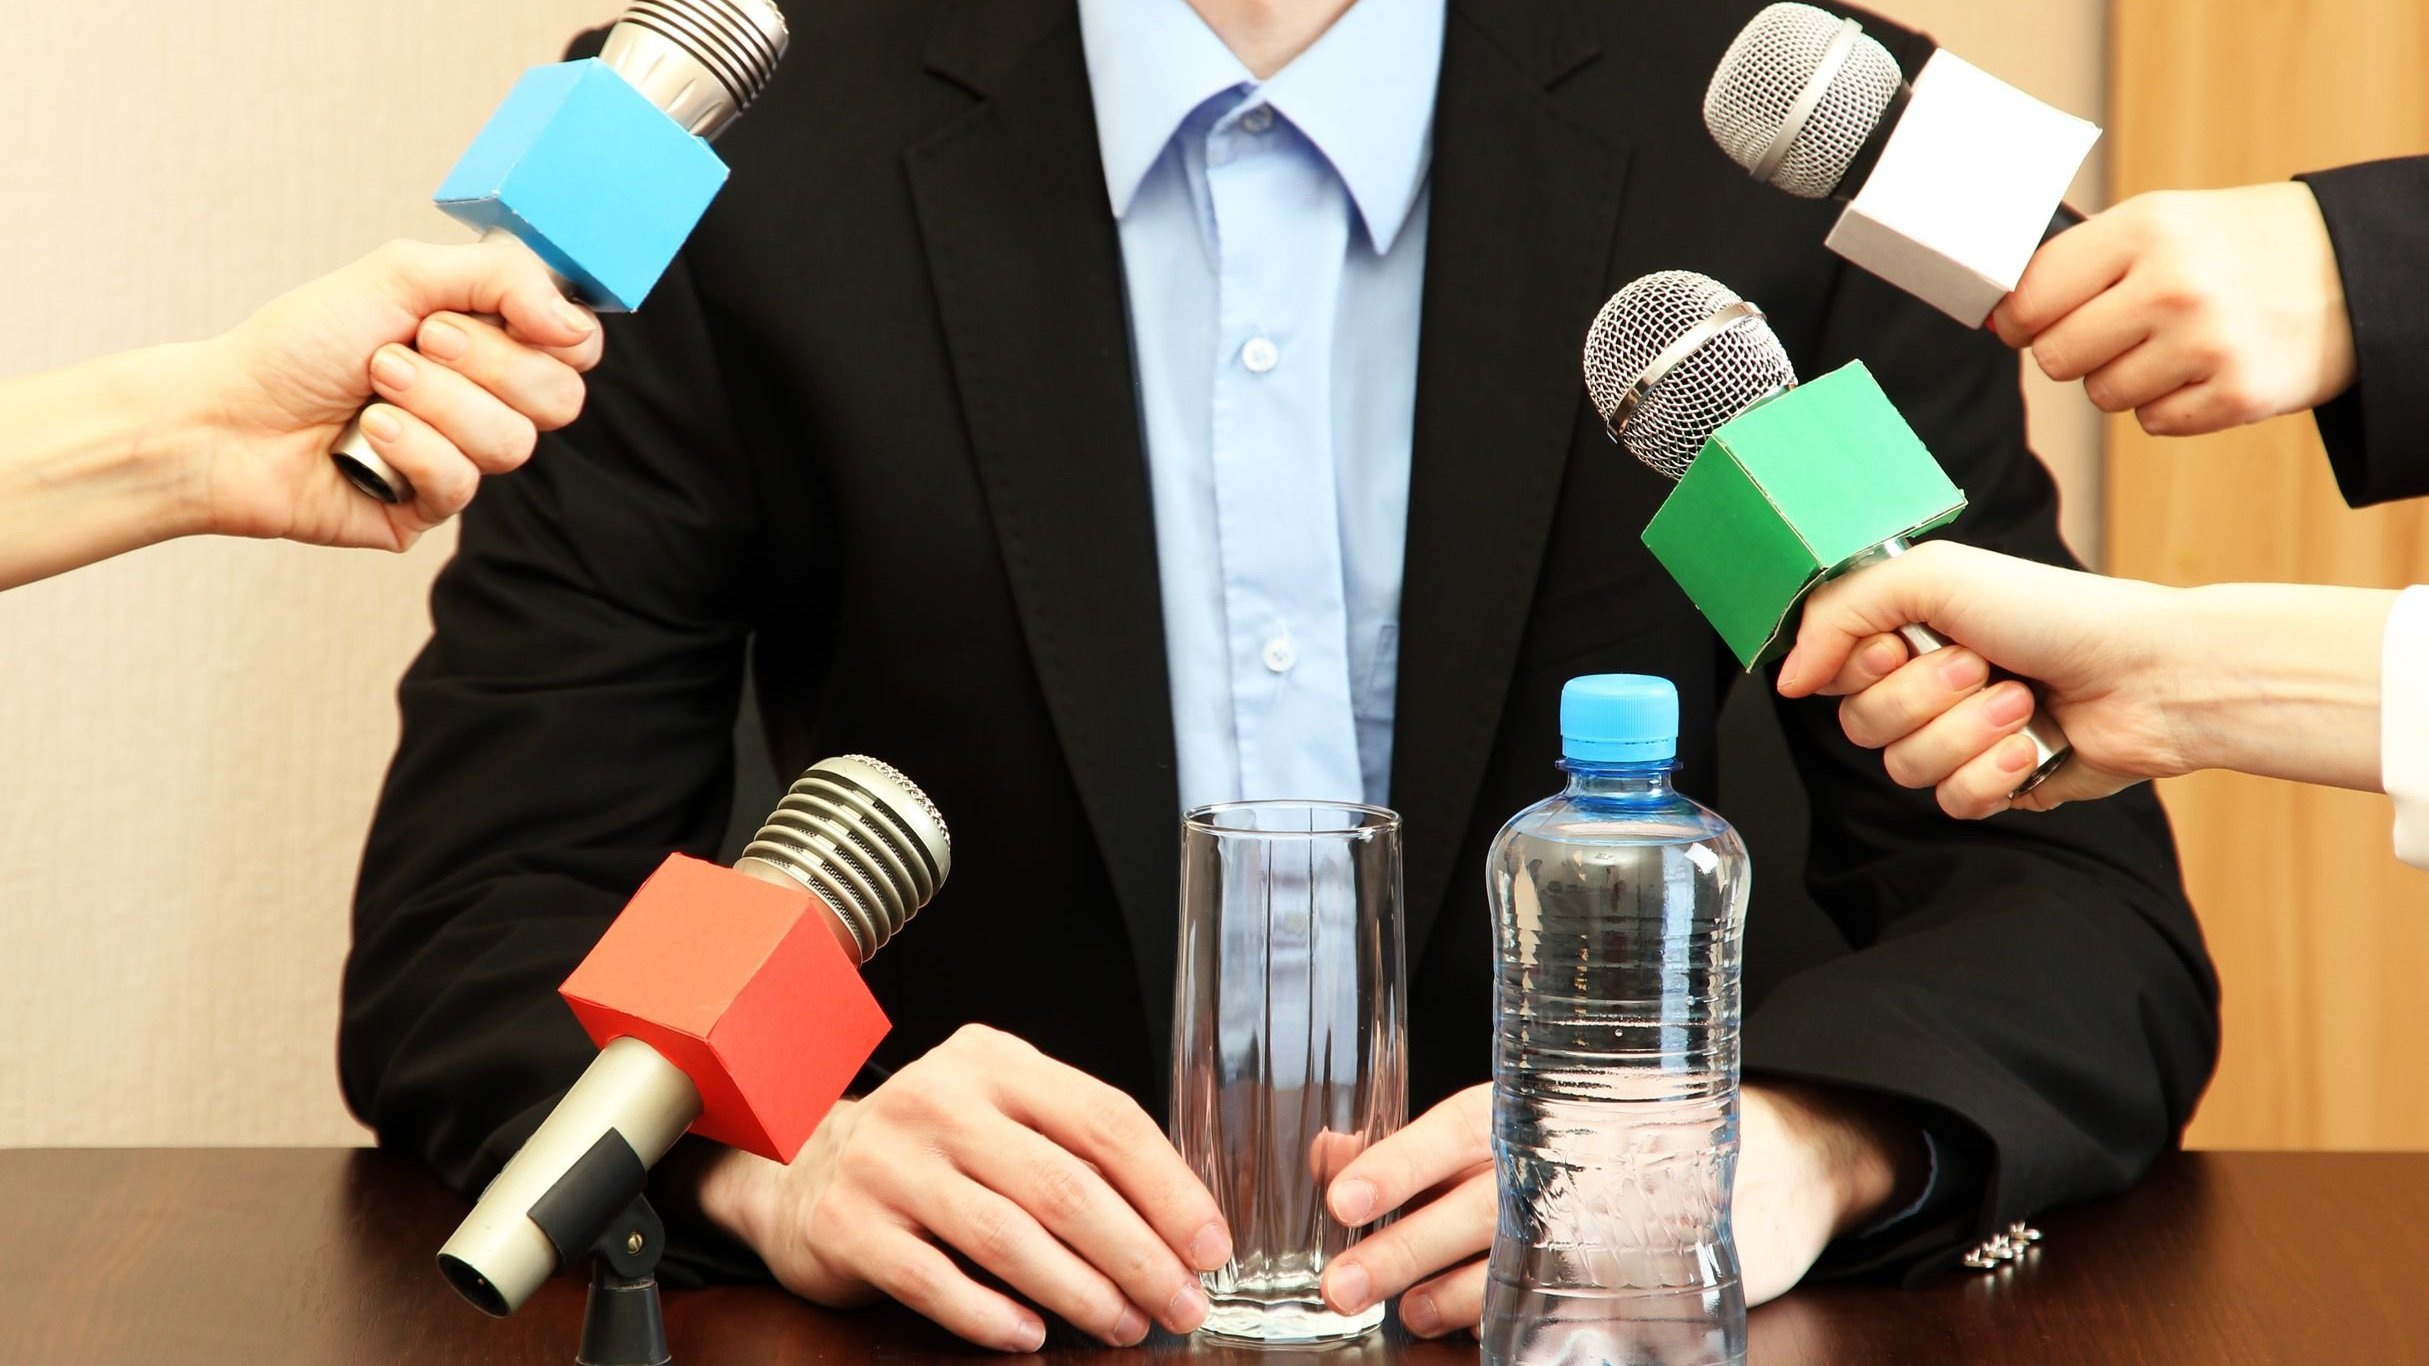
<point x="2151" y="682"/>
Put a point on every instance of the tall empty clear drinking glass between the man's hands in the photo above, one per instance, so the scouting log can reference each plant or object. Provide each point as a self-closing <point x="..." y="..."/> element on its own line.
<point x="1289" y="1044"/>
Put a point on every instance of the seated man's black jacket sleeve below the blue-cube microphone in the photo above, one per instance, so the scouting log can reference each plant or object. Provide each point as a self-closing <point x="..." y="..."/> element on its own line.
<point x="565" y="730"/>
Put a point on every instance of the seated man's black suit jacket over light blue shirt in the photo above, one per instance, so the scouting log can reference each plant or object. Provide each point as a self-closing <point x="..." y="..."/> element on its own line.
<point x="883" y="424"/>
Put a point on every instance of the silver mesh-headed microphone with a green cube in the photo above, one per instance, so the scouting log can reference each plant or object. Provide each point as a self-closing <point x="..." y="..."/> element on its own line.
<point x="1782" y="485"/>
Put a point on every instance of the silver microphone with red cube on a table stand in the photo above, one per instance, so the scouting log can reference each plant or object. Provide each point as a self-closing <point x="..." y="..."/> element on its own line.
<point x="727" y="1003"/>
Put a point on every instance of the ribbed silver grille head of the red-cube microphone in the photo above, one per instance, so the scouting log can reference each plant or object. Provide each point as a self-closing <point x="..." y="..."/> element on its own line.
<point x="866" y="840"/>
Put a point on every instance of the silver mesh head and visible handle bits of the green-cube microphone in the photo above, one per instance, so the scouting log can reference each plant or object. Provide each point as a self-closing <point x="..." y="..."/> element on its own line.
<point x="1677" y="356"/>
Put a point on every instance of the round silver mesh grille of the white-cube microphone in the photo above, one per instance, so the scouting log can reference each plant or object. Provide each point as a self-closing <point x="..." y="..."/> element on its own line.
<point x="1760" y="81"/>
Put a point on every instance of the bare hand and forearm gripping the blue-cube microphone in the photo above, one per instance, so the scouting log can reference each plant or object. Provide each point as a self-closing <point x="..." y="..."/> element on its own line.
<point x="230" y="436"/>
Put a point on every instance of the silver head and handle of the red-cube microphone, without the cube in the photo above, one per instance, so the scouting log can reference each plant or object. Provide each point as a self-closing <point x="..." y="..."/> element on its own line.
<point x="873" y="849"/>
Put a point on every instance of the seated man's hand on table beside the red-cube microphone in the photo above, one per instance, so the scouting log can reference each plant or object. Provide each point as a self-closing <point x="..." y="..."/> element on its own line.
<point x="992" y="1151"/>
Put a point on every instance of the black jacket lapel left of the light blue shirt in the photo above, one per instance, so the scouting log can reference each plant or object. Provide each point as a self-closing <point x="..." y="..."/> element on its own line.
<point x="1029" y="276"/>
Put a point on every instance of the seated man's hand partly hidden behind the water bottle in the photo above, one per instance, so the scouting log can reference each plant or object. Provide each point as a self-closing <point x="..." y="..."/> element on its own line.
<point x="1811" y="1168"/>
